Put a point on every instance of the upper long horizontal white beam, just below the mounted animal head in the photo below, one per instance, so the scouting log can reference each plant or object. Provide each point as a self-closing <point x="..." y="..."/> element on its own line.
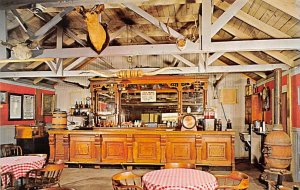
<point x="161" y="49"/>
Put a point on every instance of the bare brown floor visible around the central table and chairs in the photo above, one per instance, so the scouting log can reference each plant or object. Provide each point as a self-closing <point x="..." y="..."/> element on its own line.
<point x="92" y="179"/>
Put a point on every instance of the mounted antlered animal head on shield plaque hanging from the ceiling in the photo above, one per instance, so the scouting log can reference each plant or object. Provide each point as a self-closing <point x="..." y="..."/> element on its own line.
<point x="97" y="32"/>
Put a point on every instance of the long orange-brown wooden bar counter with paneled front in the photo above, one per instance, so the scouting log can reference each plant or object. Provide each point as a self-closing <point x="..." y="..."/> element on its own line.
<point x="142" y="146"/>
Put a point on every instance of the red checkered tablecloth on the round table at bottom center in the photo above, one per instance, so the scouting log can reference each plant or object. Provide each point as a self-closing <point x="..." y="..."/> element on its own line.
<point x="179" y="179"/>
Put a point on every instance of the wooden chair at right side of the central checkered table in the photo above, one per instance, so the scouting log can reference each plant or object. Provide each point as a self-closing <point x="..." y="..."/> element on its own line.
<point x="235" y="180"/>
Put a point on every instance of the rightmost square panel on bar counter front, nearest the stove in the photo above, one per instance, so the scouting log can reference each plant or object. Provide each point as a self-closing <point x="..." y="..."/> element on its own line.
<point x="216" y="150"/>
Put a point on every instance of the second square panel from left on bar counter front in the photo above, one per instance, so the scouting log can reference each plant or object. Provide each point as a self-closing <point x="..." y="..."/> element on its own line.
<point x="114" y="148"/>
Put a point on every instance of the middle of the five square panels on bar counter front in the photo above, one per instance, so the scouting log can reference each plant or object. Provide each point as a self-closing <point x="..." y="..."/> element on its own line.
<point x="146" y="149"/>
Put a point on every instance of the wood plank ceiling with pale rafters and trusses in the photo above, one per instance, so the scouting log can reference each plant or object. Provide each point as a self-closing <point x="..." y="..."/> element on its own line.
<point x="259" y="36"/>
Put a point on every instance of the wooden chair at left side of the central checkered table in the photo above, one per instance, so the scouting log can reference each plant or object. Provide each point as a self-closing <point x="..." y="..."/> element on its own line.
<point x="126" y="181"/>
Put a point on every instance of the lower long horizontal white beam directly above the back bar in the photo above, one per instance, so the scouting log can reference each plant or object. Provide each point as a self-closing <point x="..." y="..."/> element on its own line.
<point x="169" y="70"/>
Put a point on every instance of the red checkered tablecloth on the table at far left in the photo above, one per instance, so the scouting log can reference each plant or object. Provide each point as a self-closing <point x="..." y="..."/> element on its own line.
<point x="19" y="165"/>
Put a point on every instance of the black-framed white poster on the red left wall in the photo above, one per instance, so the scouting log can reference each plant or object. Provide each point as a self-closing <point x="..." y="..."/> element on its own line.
<point x="15" y="107"/>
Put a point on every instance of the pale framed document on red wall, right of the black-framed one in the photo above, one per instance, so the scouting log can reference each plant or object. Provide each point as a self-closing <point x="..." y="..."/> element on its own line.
<point x="28" y="106"/>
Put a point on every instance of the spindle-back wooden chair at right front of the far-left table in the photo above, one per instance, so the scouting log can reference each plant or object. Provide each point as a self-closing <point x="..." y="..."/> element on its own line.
<point x="43" y="178"/>
